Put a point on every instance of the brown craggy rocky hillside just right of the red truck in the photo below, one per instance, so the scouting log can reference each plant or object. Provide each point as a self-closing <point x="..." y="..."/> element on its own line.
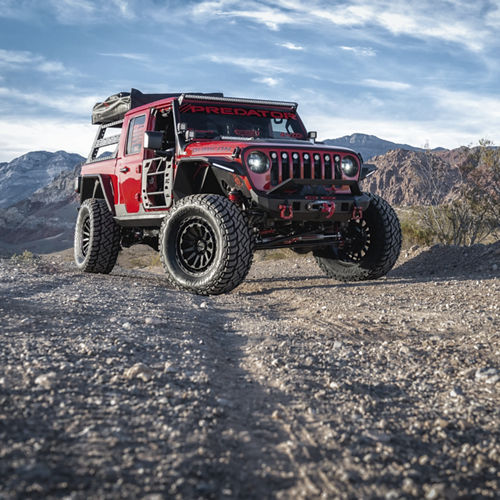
<point x="415" y="177"/>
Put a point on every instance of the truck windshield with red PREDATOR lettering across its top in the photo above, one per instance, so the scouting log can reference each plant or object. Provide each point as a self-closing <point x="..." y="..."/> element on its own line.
<point x="208" y="121"/>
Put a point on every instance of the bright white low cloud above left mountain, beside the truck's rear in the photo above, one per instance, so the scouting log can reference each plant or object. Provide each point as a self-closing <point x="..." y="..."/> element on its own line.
<point x="20" y="137"/>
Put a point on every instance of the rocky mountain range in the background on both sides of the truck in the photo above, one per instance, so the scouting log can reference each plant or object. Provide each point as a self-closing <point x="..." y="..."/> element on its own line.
<point x="38" y="205"/>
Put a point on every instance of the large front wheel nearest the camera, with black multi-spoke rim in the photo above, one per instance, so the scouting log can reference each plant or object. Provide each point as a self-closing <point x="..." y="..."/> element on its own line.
<point x="205" y="245"/>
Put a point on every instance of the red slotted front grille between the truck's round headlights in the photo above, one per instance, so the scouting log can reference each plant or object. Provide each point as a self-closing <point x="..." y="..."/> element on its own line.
<point x="289" y="164"/>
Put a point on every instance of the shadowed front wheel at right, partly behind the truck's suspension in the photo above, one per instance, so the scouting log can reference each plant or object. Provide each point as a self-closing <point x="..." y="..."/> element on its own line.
<point x="371" y="247"/>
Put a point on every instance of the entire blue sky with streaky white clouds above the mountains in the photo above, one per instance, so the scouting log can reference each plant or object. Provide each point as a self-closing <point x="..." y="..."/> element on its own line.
<point x="423" y="72"/>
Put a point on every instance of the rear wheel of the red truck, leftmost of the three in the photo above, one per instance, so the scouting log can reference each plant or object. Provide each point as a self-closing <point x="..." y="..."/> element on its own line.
<point x="97" y="237"/>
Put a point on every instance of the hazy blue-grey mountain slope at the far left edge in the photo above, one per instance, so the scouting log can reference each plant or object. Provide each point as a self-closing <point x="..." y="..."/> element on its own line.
<point x="21" y="177"/>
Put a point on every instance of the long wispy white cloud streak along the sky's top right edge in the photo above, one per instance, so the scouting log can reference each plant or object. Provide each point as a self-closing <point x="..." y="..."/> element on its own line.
<point x="455" y="22"/>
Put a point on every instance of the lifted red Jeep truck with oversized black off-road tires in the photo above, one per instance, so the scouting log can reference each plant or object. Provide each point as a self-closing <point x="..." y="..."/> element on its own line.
<point x="207" y="179"/>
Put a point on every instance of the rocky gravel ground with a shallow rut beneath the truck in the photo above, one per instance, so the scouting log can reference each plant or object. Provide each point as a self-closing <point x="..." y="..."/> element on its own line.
<point x="292" y="386"/>
